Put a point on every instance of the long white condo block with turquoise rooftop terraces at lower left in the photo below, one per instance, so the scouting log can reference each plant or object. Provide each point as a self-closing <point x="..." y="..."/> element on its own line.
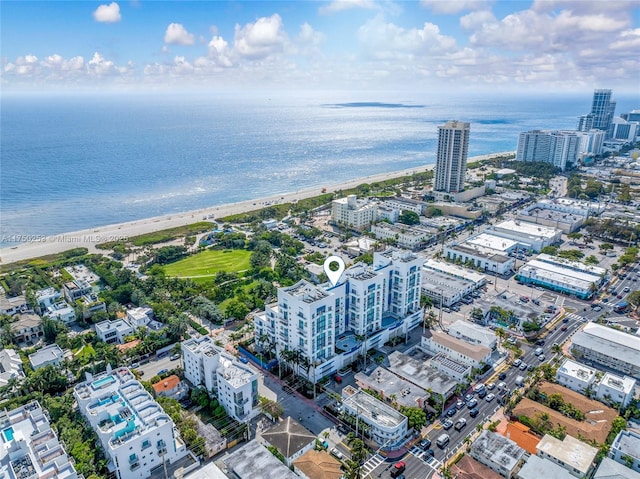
<point x="136" y="435"/>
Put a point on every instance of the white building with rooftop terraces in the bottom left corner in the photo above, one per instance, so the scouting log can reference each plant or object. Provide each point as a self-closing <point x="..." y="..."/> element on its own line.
<point x="30" y="448"/>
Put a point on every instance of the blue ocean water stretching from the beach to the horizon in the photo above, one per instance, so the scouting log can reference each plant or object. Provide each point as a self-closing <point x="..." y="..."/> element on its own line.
<point x="76" y="162"/>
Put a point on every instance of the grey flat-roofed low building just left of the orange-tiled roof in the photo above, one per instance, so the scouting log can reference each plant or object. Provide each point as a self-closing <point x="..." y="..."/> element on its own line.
<point x="498" y="453"/>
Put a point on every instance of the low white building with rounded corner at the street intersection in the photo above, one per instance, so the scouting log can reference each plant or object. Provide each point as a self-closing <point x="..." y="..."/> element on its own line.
<point x="387" y="427"/>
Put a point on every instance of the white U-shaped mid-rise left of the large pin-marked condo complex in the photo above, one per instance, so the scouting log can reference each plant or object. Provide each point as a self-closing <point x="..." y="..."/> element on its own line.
<point x="234" y="384"/>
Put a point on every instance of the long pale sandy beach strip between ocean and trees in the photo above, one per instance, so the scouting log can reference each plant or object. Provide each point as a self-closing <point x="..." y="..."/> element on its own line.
<point x="37" y="245"/>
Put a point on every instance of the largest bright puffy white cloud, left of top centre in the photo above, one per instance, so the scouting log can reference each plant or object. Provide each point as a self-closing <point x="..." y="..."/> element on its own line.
<point x="261" y="39"/>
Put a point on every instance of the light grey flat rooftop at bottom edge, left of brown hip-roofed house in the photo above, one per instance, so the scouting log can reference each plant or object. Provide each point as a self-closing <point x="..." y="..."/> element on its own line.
<point x="253" y="461"/>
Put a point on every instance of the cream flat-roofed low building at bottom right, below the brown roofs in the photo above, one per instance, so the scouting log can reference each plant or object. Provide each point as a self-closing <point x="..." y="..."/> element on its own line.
<point x="573" y="455"/>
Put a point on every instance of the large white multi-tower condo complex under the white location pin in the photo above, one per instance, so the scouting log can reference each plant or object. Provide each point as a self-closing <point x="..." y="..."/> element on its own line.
<point x="373" y="302"/>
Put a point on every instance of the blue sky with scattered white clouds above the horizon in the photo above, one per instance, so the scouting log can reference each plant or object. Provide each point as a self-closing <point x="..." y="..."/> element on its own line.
<point x="475" y="45"/>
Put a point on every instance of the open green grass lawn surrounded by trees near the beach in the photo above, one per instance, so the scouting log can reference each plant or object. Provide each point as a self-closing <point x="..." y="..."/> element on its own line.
<point x="208" y="263"/>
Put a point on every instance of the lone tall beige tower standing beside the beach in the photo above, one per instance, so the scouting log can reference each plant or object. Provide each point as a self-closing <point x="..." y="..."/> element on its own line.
<point x="451" y="157"/>
